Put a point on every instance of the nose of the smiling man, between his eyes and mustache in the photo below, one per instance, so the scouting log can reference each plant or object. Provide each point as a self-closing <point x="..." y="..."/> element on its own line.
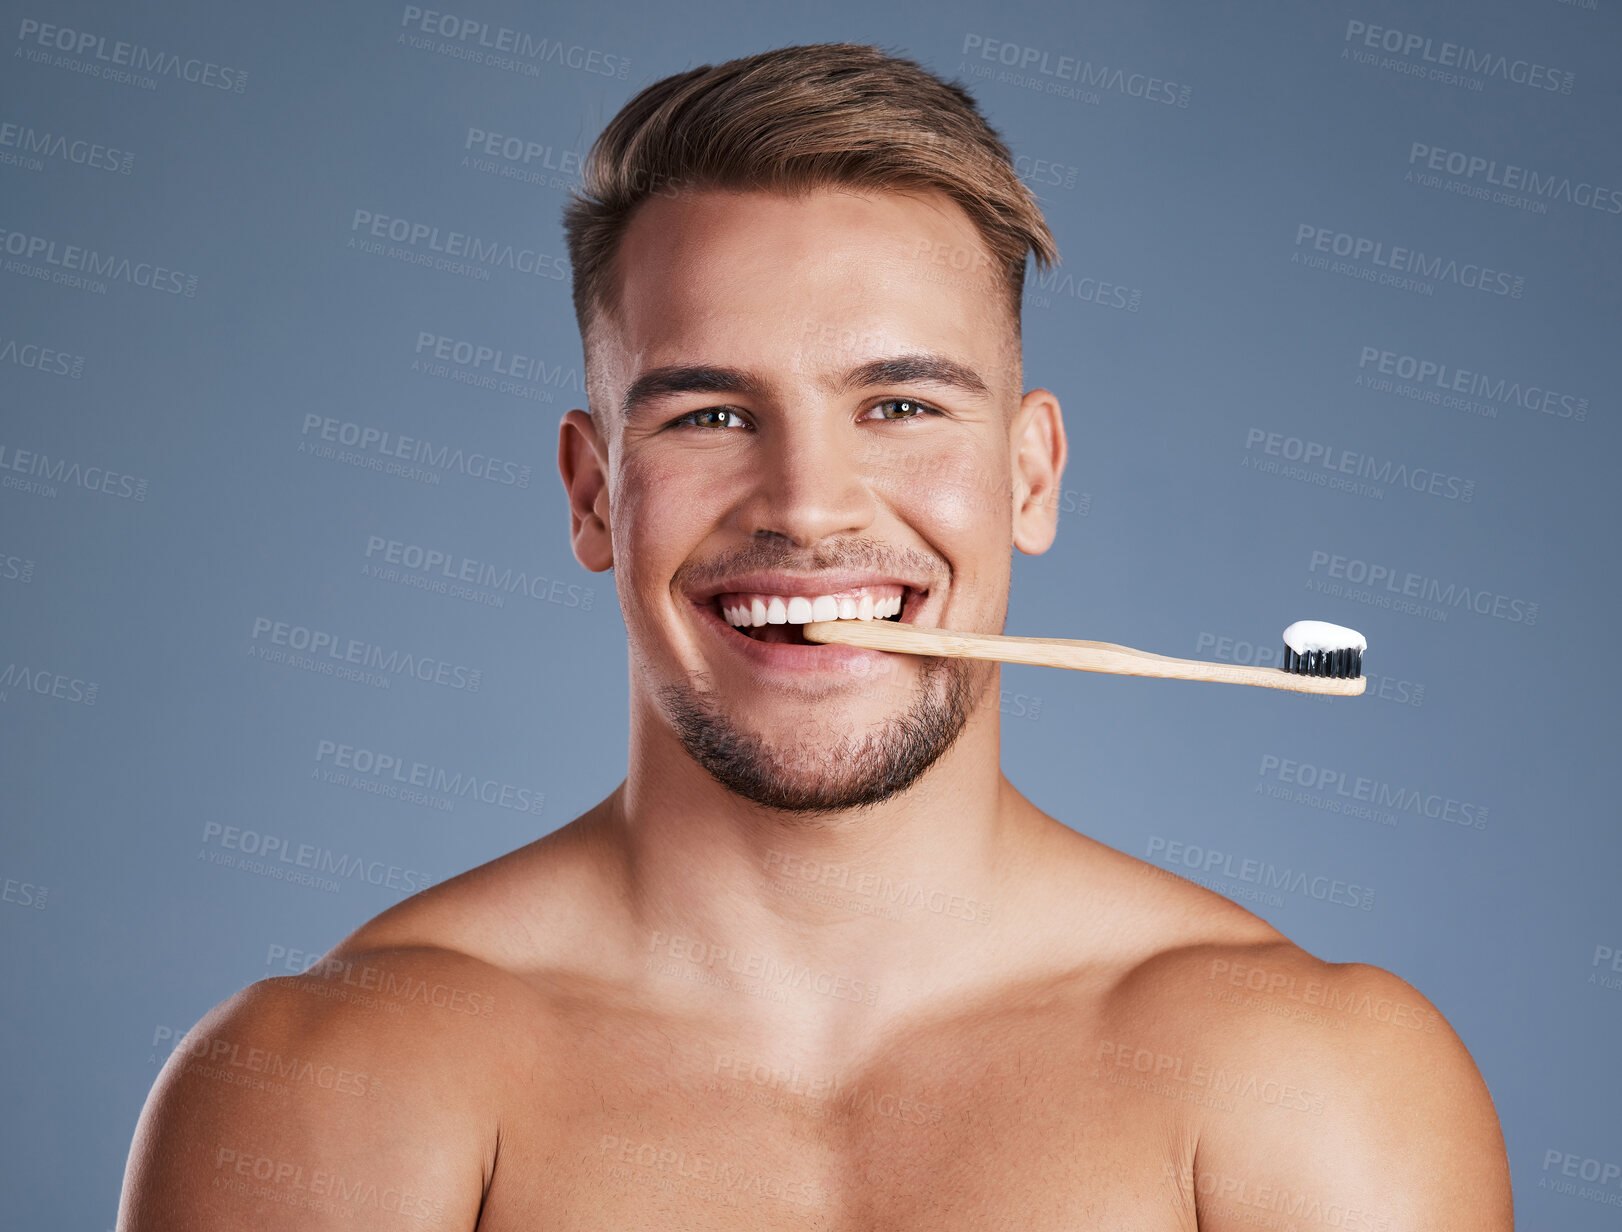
<point x="812" y="482"/>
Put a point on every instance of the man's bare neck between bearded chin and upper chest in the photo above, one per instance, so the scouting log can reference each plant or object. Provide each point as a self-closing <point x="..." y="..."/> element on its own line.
<point x="875" y="910"/>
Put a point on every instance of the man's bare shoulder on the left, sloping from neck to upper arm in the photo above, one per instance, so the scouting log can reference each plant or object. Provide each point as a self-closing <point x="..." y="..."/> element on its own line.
<point x="375" y="1082"/>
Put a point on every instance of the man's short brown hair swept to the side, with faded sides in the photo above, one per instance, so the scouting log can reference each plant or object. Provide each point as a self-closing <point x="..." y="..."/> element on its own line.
<point x="792" y="121"/>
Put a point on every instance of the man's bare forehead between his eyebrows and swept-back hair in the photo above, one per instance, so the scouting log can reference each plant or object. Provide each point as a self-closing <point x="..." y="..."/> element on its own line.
<point x="804" y="283"/>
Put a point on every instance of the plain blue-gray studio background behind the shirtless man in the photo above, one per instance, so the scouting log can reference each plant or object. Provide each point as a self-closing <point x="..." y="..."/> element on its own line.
<point x="191" y="466"/>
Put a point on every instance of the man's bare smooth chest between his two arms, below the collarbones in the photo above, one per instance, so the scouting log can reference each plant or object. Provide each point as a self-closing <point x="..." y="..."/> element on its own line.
<point x="974" y="1134"/>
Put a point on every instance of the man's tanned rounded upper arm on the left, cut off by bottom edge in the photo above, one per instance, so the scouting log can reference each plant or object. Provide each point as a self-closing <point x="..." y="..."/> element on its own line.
<point x="309" y="1103"/>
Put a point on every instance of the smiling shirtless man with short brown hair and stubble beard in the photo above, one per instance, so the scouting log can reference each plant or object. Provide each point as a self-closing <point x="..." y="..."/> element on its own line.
<point x="815" y="964"/>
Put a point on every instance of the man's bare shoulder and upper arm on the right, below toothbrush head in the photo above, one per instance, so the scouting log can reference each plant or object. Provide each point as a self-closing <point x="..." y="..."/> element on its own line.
<point x="1331" y="1092"/>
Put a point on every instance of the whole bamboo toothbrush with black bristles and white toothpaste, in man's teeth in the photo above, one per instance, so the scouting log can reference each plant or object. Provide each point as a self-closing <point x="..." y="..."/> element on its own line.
<point x="1319" y="657"/>
